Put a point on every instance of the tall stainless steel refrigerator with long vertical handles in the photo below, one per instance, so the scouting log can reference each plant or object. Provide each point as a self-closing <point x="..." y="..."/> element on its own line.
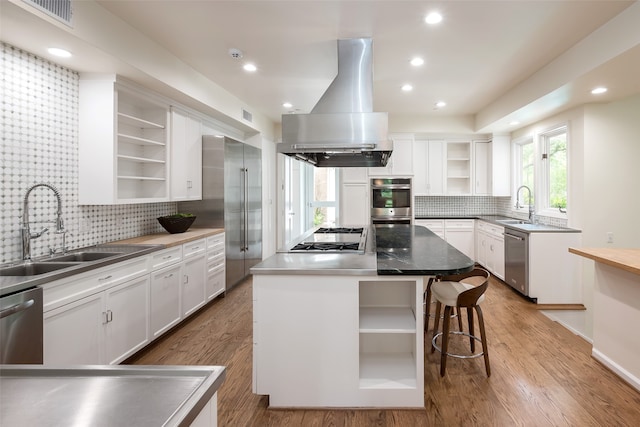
<point x="231" y="199"/>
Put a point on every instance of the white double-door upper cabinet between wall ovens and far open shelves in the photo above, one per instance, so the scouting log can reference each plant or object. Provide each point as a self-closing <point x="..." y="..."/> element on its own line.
<point x="429" y="167"/>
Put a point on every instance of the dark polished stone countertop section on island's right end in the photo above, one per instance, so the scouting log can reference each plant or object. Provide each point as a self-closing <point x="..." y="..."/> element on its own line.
<point x="416" y="250"/>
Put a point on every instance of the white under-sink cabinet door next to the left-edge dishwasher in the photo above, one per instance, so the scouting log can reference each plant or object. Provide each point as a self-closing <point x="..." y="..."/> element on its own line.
<point x="73" y="333"/>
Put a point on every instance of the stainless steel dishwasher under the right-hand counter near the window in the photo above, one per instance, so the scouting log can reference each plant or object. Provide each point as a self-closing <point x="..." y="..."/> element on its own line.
<point x="516" y="259"/>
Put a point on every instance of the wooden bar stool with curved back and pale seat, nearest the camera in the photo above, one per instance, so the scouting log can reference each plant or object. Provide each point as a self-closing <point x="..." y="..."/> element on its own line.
<point x="459" y="291"/>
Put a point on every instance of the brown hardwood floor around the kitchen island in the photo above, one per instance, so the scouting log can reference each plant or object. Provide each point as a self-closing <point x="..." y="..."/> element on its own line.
<point x="542" y="374"/>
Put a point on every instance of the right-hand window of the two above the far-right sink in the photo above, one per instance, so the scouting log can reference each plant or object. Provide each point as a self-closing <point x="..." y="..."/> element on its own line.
<point x="553" y="166"/>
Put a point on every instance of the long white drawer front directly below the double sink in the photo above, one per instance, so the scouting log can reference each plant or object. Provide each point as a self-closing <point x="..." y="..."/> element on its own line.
<point x="64" y="291"/>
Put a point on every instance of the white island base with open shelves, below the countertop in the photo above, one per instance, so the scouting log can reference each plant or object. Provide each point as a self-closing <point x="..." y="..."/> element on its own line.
<point x="338" y="341"/>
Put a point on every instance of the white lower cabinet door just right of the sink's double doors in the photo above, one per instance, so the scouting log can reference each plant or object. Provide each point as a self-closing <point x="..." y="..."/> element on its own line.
<point x="165" y="299"/>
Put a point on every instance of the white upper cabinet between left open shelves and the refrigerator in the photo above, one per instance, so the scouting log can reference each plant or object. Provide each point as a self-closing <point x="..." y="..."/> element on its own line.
<point x="186" y="156"/>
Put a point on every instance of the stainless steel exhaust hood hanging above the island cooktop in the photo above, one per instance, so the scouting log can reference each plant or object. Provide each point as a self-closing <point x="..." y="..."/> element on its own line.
<point x="342" y="130"/>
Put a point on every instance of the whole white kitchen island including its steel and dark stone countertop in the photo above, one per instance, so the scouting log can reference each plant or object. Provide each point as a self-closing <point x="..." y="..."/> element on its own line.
<point x="346" y="329"/>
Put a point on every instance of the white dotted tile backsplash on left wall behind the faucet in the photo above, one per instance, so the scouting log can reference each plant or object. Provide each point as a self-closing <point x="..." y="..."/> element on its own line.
<point x="39" y="130"/>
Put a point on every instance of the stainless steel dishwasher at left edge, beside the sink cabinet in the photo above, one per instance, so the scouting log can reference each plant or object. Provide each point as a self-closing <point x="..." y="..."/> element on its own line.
<point x="21" y="328"/>
